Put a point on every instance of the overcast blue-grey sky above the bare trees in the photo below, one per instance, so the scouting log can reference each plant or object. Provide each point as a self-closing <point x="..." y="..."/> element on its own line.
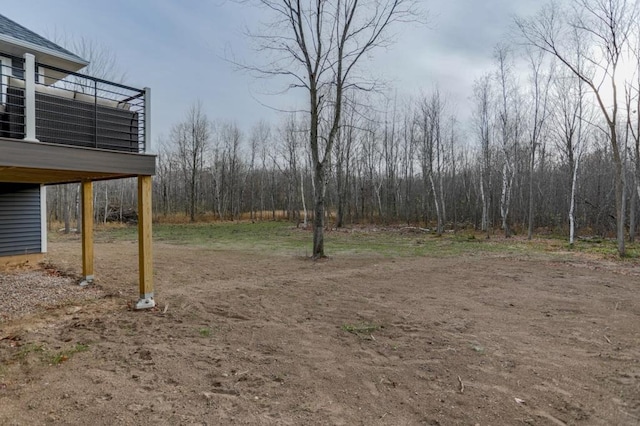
<point x="176" y="48"/>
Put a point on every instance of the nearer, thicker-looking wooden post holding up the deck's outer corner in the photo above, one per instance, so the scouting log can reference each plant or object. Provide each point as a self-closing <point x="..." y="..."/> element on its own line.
<point x="145" y="250"/>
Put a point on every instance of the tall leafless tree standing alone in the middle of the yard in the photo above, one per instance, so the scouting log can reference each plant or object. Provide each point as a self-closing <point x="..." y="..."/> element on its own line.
<point x="318" y="45"/>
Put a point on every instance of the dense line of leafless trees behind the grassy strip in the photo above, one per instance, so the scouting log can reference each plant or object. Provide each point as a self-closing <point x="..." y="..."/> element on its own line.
<point x="413" y="164"/>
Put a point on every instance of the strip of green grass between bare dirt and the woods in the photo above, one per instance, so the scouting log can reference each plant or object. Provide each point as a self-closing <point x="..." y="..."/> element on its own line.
<point x="284" y="238"/>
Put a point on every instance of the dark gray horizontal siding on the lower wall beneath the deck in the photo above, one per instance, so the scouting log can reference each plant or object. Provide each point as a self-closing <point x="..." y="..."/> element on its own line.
<point x="20" y="222"/>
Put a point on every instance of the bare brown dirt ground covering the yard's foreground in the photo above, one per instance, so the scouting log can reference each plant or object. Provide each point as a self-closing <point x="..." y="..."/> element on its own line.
<point x="243" y="338"/>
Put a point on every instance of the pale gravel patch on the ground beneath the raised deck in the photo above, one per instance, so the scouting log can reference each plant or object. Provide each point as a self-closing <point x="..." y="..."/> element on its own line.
<point x="25" y="292"/>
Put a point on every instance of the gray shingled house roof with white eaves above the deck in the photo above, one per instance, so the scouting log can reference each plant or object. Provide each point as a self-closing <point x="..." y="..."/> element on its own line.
<point x="19" y="40"/>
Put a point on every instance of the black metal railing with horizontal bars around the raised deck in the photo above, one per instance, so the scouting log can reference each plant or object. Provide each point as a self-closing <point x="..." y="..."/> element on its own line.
<point x="74" y="109"/>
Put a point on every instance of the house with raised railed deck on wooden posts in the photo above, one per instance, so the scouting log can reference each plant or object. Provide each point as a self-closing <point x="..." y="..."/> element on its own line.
<point x="60" y="126"/>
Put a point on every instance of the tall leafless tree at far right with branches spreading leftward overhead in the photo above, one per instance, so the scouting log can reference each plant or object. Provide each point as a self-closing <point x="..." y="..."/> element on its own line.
<point x="605" y="27"/>
